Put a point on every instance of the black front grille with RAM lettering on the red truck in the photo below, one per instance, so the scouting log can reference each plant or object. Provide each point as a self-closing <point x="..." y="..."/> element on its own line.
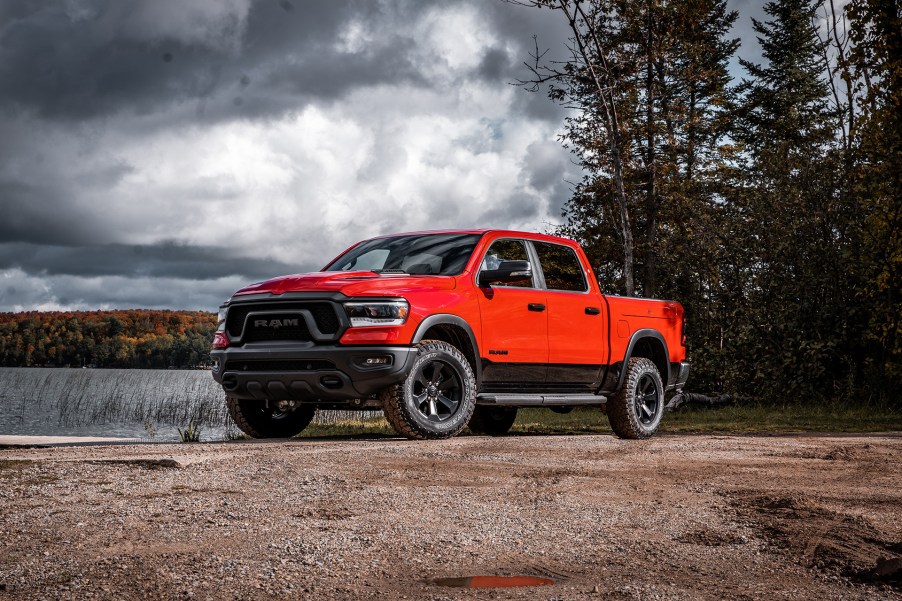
<point x="324" y="315"/>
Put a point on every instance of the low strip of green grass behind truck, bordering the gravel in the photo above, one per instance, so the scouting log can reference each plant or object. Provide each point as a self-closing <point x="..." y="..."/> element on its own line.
<point x="748" y="418"/>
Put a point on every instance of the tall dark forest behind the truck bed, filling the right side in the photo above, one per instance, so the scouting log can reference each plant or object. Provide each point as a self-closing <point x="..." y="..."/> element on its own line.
<point x="764" y="196"/>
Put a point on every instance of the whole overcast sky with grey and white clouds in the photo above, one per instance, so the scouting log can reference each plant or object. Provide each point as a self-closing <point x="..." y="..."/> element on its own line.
<point x="163" y="153"/>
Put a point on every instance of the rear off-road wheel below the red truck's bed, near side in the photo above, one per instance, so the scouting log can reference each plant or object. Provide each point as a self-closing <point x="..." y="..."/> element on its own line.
<point x="635" y="410"/>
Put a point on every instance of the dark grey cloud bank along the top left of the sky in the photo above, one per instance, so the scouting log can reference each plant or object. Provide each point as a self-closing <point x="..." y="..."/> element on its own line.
<point x="61" y="65"/>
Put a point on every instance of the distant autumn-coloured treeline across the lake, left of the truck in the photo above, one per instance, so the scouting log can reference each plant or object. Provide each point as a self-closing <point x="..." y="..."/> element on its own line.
<point x="135" y="338"/>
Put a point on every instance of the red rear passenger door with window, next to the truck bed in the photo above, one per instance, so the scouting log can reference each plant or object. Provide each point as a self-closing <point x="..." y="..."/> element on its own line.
<point x="577" y="323"/>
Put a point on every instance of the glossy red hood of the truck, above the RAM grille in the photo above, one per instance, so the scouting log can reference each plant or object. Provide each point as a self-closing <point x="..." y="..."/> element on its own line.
<point x="350" y="283"/>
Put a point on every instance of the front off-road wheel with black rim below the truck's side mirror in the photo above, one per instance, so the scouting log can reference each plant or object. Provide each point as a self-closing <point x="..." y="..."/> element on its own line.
<point x="408" y="407"/>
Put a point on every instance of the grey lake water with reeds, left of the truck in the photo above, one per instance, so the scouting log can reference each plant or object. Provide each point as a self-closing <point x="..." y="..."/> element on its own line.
<point x="132" y="403"/>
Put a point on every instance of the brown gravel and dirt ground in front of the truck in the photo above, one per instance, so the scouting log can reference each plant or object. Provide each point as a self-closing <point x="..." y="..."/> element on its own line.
<point x="676" y="517"/>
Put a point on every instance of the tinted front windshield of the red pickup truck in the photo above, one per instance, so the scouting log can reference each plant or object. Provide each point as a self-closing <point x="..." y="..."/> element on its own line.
<point x="429" y="254"/>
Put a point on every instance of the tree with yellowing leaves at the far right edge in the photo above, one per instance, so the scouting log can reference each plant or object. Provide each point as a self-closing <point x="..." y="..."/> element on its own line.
<point x="876" y="62"/>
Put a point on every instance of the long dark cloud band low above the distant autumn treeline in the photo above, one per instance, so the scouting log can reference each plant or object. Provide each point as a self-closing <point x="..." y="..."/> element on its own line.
<point x="166" y="260"/>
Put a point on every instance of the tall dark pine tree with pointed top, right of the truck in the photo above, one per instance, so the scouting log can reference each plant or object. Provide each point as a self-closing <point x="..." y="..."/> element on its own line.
<point x="792" y="316"/>
